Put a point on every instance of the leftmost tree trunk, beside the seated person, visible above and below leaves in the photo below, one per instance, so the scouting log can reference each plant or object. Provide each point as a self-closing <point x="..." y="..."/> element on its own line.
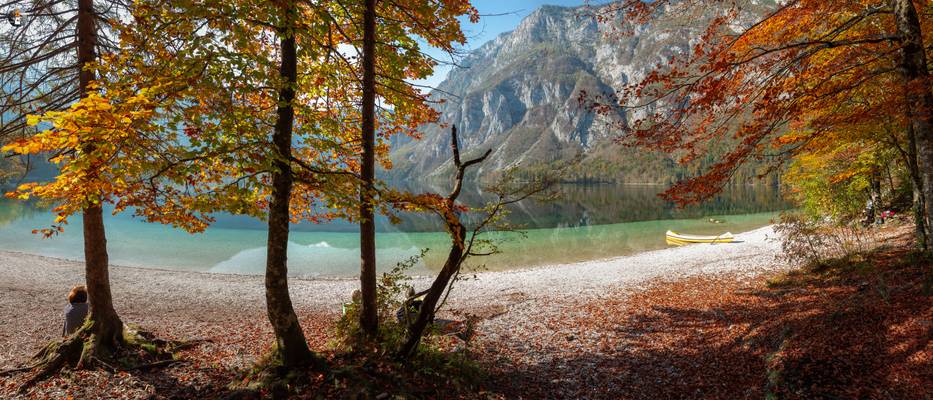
<point x="105" y="323"/>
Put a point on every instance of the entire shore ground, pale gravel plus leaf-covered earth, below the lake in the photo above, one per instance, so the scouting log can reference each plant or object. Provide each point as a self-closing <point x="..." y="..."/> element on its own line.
<point x="660" y="323"/>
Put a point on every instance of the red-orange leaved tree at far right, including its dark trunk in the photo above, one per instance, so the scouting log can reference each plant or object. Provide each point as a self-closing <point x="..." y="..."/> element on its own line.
<point x="747" y="83"/>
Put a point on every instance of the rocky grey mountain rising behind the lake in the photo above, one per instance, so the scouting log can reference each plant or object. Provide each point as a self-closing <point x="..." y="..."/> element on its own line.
<point x="518" y="95"/>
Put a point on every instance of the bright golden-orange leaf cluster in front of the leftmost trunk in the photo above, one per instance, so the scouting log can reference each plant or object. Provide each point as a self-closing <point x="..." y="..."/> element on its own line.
<point x="102" y="146"/>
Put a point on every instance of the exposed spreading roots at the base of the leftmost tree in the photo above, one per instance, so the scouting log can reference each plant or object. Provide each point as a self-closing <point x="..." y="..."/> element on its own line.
<point x="131" y="350"/>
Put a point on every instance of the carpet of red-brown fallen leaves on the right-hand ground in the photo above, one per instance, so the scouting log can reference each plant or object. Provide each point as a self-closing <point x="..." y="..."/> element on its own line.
<point x="839" y="334"/>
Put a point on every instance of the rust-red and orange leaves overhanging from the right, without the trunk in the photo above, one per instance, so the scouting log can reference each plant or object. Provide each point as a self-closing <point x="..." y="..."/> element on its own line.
<point x="768" y="84"/>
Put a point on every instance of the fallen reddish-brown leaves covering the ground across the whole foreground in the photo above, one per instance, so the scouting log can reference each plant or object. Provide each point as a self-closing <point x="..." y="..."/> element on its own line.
<point x="845" y="333"/>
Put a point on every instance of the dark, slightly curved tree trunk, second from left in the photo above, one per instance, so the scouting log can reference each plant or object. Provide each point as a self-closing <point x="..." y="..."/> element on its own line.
<point x="291" y="348"/>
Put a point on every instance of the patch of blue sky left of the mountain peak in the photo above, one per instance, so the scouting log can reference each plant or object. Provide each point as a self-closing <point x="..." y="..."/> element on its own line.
<point x="496" y="16"/>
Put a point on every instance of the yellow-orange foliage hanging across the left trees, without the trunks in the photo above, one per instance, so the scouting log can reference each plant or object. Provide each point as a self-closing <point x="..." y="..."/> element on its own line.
<point x="178" y="125"/>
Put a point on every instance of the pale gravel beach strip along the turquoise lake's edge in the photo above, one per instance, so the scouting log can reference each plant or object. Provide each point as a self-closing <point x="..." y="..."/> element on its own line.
<point x="34" y="288"/>
